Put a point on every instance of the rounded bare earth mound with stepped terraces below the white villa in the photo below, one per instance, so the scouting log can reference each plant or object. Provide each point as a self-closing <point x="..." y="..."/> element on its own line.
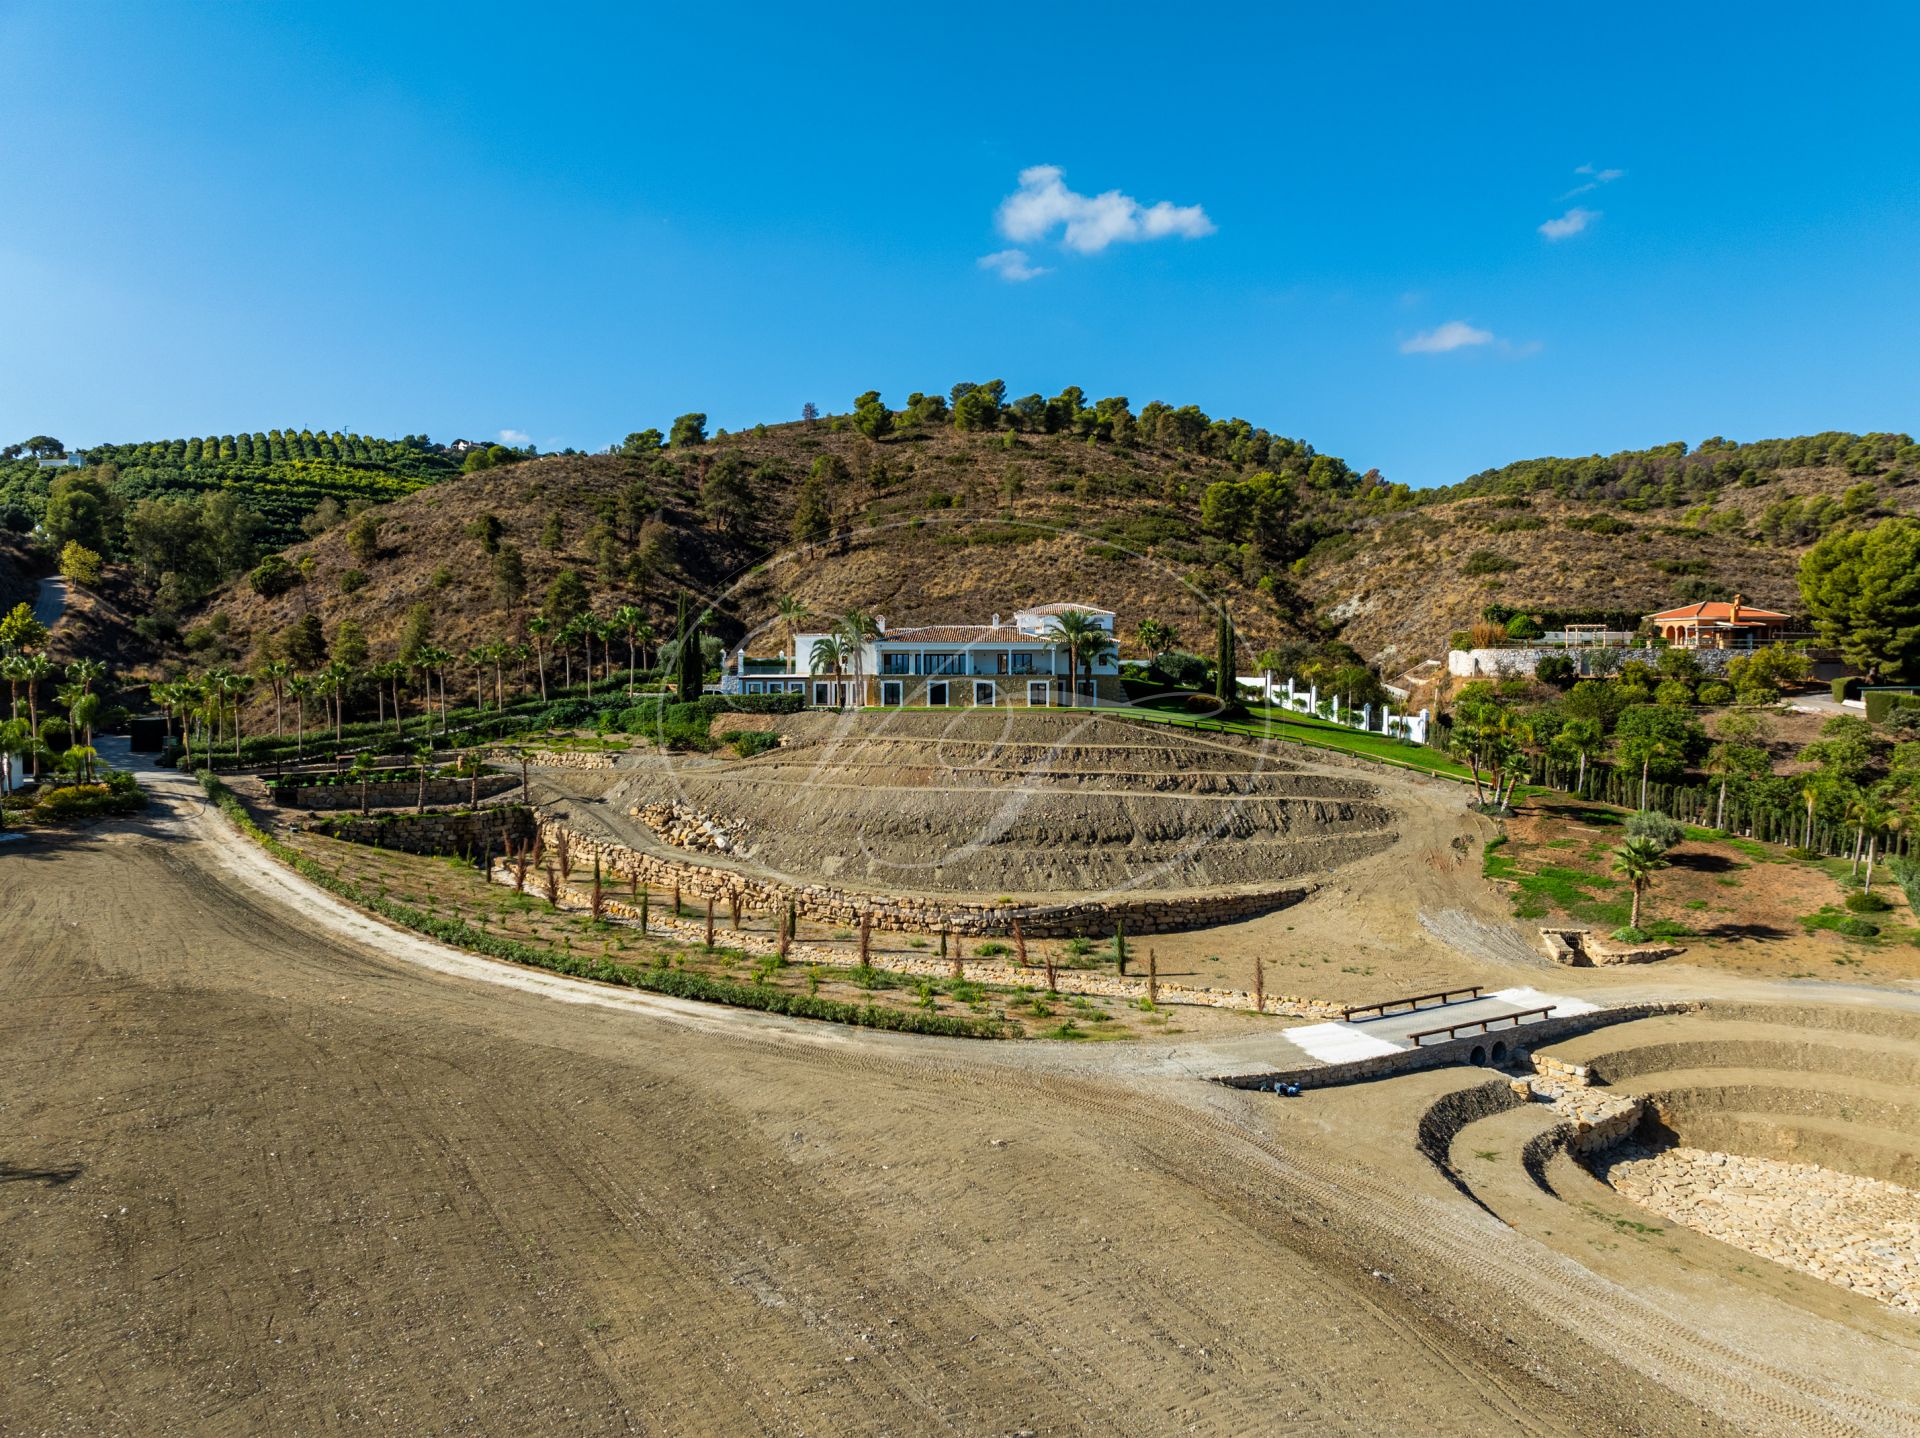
<point x="1024" y="803"/>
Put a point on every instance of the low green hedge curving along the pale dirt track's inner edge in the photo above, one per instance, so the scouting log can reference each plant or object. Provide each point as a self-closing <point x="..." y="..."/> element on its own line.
<point x="660" y="980"/>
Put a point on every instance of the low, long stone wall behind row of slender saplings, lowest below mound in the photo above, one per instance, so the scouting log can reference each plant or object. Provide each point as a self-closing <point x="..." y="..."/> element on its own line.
<point x="980" y="971"/>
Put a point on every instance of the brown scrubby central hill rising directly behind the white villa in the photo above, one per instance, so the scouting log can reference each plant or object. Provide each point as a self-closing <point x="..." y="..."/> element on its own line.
<point x="926" y="523"/>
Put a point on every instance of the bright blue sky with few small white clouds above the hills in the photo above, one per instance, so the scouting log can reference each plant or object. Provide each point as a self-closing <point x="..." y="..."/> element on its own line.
<point x="581" y="222"/>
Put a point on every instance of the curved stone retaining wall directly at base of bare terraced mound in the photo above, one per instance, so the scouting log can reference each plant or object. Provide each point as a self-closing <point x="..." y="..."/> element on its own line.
<point x="817" y="901"/>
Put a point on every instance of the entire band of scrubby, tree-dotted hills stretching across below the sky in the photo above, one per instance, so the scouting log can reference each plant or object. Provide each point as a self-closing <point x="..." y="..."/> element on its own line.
<point x="948" y="508"/>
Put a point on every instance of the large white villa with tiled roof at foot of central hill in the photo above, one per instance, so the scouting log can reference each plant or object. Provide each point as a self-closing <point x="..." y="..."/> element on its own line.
<point x="944" y="665"/>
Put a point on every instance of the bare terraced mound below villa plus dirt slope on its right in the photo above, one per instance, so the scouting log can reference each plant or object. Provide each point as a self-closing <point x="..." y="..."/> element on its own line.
<point x="1067" y="807"/>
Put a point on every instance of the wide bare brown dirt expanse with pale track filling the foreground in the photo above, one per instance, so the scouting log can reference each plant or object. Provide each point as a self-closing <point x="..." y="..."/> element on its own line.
<point x="262" y="1170"/>
